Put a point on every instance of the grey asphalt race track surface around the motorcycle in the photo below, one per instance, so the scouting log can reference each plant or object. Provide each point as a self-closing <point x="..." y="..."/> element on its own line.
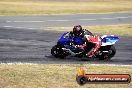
<point x="23" y="38"/>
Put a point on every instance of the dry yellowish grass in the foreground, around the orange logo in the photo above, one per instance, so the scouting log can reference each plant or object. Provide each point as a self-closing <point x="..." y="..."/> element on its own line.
<point x="57" y="76"/>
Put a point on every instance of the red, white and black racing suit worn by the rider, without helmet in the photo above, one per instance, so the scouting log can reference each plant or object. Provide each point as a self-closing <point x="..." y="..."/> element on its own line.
<point x="95" y="42"/>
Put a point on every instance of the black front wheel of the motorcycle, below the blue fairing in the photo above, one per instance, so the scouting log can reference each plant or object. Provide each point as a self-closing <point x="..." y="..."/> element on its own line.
<point x="57" y="52"/>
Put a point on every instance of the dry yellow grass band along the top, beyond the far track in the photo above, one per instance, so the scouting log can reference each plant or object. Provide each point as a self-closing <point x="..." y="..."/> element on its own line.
<point x="34" y="7"/>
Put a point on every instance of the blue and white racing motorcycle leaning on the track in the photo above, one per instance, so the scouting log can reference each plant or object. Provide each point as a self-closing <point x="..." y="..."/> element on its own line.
<point x="64" y="46"/>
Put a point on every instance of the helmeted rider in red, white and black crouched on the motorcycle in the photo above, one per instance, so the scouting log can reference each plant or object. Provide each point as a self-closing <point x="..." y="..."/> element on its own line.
<point x="78" y="31"/>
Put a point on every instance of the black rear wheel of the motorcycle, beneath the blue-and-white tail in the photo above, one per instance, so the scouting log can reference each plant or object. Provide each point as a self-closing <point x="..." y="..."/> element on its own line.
<point x="107" y="56"/>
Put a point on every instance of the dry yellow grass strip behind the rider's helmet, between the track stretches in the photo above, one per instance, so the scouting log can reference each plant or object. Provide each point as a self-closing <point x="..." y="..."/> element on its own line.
<point x="120" y="29"/>
